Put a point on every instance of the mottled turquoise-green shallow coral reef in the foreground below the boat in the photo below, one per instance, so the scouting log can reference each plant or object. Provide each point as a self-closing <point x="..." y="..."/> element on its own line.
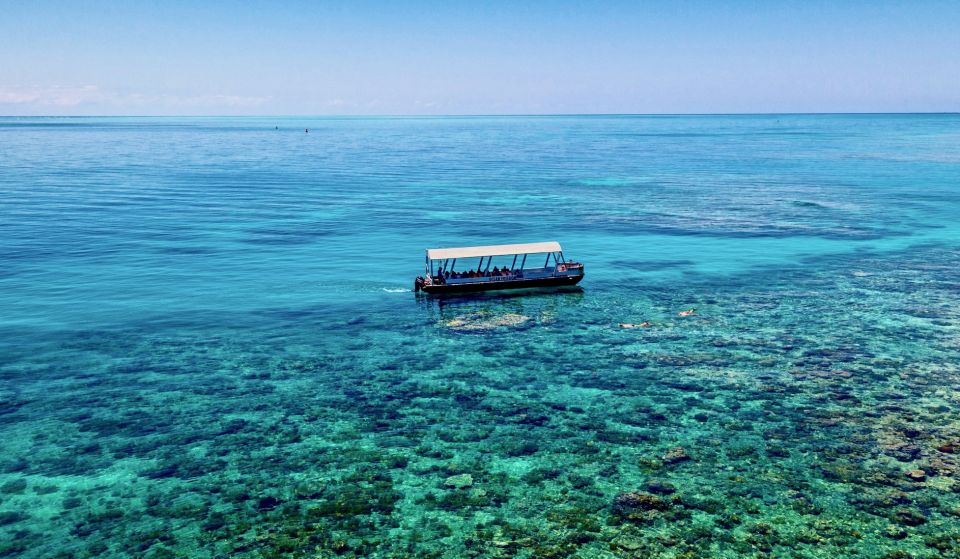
<point x="803" y="413"/>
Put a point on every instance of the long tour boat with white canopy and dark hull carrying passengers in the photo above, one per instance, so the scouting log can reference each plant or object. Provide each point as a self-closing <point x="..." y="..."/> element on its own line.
<point x="441" y="274"/>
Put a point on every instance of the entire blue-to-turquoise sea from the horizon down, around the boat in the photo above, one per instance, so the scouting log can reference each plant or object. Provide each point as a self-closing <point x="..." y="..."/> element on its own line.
<point x="209" y="345"/>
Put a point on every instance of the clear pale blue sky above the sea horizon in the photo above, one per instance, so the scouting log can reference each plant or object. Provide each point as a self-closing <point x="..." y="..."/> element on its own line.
<point x="425" y="57"/>
